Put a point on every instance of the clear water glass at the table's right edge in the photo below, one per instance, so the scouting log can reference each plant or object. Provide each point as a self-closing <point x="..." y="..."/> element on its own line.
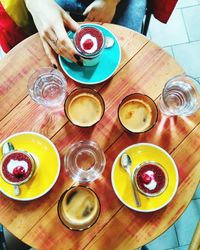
<point x="180" y="96"/>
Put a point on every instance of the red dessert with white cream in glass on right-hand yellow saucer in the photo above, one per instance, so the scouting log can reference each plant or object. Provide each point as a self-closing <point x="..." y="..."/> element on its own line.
<point x="151" y="178"/>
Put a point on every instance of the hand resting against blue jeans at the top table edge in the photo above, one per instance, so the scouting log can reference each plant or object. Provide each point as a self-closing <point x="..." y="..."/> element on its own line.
<point x="101" y="11"/>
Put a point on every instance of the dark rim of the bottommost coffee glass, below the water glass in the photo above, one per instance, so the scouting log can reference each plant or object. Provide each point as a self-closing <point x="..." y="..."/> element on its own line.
<point x="60" y="202"/>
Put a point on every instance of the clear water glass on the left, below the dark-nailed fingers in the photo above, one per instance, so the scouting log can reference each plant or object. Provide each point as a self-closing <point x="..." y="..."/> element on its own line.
<point x="47" y="86"/>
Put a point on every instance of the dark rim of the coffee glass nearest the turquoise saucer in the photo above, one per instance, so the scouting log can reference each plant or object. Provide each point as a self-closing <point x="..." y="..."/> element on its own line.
<point x="95" y="93"/>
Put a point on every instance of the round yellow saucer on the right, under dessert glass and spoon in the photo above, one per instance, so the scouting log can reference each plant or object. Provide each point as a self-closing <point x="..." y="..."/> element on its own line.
<point x="122" y="184"/>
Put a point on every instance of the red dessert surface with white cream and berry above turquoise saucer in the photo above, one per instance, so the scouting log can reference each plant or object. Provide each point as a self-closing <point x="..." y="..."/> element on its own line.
<point x="89" y="40"/>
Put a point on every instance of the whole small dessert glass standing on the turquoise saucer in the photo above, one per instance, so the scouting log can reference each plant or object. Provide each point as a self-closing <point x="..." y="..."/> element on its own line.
<point x="89" y="42"/>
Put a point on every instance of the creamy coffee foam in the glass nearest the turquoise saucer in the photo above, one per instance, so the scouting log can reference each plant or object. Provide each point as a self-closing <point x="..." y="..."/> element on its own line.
<point x="84" y="110"/>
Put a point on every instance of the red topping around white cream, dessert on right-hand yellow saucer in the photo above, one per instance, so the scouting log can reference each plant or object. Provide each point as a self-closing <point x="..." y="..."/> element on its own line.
<point x="142" y="178"/>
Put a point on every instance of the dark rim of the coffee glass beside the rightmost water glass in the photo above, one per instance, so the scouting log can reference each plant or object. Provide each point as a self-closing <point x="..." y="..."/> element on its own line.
<point x="148" y="128"/>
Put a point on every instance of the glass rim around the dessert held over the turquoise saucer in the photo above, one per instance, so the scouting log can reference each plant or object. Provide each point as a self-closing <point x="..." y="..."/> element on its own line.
<point x="88" y="55"/>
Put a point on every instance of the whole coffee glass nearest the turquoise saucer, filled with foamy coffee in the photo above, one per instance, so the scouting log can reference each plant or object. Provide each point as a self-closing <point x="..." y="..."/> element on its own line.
<point x="84" y="107"/>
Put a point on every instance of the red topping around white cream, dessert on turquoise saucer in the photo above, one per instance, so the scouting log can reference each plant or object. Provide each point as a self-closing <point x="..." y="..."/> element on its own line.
<point x="94" y="33"/>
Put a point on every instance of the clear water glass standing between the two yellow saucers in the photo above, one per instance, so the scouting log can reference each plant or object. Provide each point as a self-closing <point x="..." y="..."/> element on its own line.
<point x="85" y="161"/>
